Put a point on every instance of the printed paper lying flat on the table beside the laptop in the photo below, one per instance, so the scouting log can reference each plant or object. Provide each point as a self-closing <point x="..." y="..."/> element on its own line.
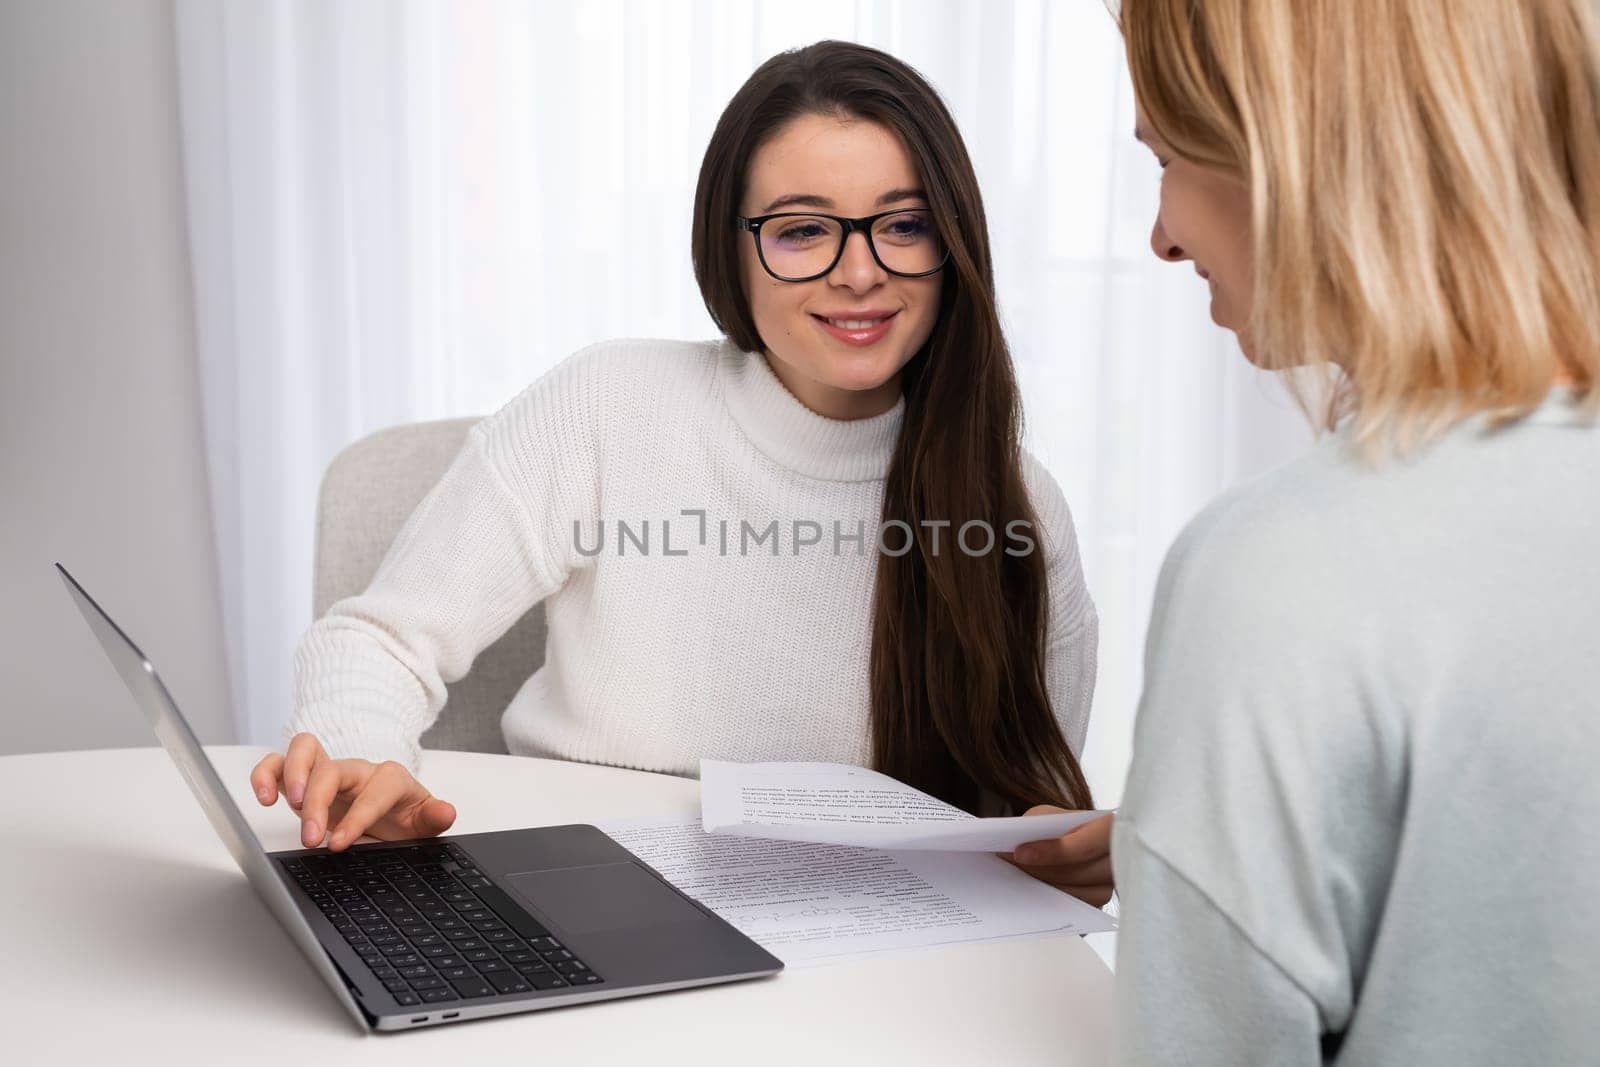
<point x="810" y="903"/>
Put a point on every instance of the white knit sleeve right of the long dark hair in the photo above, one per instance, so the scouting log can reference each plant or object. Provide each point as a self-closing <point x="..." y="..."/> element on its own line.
<point x="1074" y="628"/>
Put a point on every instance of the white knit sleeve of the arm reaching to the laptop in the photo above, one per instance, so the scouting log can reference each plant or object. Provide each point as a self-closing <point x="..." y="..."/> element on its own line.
<point x="492" y="540"/>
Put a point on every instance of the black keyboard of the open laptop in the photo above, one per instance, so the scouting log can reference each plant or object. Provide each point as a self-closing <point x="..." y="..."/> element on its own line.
<point x="431" y="927"/>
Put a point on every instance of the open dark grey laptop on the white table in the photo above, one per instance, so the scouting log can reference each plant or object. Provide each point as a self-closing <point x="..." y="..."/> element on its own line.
<point x="442" y="930"/>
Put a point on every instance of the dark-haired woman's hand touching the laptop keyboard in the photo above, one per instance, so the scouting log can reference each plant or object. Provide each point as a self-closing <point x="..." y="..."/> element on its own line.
<point x="350" y="797"/>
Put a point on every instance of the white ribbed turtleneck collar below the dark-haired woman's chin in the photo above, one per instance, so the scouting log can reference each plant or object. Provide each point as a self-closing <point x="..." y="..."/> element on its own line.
<point x="793" y="436"/>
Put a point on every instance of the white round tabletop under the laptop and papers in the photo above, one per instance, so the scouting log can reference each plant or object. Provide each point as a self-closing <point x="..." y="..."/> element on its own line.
<point x="130" y="937"/>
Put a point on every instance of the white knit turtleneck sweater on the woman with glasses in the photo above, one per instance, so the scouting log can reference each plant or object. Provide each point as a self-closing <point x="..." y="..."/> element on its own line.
<point x="655" y="661"/>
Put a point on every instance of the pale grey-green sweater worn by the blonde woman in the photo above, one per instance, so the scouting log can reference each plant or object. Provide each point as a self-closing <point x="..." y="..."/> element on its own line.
<point x="1366" y="791"/>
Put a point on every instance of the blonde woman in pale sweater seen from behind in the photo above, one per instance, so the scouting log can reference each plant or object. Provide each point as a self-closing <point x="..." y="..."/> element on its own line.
<point x="1364" y="815"/>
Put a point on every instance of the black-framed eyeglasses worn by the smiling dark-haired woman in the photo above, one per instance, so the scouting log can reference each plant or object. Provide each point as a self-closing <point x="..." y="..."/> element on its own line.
<point x="804" y="247"/>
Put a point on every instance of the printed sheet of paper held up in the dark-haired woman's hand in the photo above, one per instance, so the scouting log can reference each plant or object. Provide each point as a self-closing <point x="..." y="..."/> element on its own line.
<point x="834" y="804"/>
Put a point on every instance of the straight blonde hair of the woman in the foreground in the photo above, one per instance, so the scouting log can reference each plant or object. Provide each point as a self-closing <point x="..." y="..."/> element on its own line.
<point x="1425" y="191"/>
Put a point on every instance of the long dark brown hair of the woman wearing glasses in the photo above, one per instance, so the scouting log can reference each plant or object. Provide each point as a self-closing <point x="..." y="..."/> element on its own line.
<point x="959" y="698"/>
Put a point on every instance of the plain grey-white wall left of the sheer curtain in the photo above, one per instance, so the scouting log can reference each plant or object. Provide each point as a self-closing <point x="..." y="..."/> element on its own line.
<point x="102" y="463"/>
